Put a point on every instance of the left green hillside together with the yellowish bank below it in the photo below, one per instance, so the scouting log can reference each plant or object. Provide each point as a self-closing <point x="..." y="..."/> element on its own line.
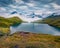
<point x="5" y="24"/>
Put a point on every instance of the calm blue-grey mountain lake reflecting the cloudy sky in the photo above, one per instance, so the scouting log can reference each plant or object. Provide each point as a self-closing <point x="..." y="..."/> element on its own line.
<point x="35" y="28"/>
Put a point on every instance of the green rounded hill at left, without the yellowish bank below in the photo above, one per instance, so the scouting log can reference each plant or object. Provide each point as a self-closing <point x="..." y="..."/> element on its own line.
<point x="7" y="22"/>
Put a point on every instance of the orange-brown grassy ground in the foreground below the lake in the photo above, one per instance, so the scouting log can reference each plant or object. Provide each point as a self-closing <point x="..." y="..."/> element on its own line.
<point x="29" y="40"/>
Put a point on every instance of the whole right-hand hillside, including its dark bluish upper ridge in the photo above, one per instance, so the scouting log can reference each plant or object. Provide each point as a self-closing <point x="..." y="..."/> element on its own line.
<point x="52" y="20"/>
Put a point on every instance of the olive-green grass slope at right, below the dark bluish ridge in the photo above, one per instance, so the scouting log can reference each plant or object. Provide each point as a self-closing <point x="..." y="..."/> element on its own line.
<point x="52" y="22"/>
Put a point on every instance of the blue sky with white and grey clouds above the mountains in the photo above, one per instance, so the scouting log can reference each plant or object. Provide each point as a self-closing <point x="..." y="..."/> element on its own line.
<point x="42" y="7"/>
